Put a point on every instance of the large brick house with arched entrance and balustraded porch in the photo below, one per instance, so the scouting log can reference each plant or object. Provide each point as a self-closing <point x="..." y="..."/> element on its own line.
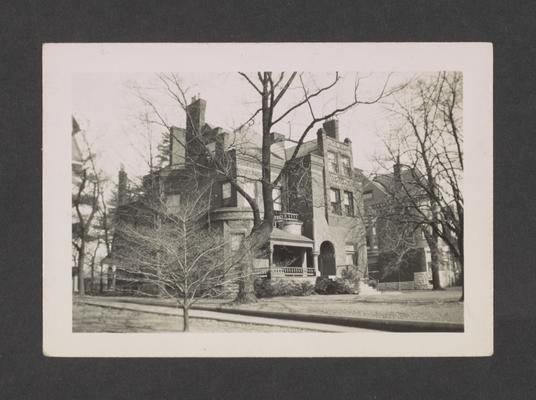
<point x="319" y="227"/>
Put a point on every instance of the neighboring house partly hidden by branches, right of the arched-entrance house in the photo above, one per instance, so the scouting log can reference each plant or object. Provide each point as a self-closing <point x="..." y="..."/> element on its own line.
<point x="398" y="253"/>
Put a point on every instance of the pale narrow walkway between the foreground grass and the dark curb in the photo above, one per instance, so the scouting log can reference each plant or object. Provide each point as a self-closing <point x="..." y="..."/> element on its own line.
<point x="163" y="310"/>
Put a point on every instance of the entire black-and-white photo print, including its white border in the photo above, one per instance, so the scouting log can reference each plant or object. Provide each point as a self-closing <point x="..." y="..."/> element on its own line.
<point x="267" y="200"/>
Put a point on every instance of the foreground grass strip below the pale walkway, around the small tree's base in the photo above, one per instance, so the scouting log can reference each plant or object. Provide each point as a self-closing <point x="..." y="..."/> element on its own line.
<point x="87" y="318"/>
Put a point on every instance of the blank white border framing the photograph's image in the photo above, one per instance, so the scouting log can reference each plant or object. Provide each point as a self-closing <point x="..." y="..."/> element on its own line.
<point x="61" y="61"/>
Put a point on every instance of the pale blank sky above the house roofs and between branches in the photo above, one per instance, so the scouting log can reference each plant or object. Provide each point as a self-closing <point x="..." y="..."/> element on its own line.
<point x="108" y="110"/>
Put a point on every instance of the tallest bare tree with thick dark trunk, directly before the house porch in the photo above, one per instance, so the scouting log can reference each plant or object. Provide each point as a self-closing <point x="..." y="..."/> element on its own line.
<point x="272" y="89"/>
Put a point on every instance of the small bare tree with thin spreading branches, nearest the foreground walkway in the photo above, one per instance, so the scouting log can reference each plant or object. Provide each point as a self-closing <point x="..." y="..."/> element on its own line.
<point x="172" y="248"/>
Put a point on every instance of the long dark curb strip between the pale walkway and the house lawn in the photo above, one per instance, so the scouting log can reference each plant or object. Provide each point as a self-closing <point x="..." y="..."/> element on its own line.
<point x="355" y="322"/>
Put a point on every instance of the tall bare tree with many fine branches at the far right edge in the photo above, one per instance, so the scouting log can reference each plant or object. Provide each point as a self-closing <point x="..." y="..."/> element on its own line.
<point x="429" y="142"/>
